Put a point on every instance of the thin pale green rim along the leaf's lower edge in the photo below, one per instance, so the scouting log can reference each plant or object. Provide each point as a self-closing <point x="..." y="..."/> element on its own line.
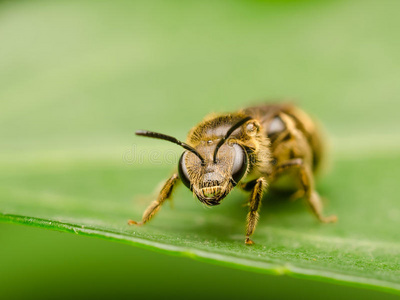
<point x="208" y="257"/>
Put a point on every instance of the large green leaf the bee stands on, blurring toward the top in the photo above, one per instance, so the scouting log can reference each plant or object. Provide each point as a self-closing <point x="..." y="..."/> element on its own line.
<point x="73" y="93"/>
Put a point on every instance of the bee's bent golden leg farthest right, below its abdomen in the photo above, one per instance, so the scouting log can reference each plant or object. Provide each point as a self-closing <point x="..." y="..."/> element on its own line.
<point x="308" y="190"/>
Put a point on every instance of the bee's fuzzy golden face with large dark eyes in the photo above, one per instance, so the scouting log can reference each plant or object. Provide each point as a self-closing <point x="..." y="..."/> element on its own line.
<point x="213" y="180"/>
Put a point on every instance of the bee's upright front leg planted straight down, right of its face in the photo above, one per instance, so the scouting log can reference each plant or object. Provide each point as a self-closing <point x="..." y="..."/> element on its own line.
<point x="254" y="205"/>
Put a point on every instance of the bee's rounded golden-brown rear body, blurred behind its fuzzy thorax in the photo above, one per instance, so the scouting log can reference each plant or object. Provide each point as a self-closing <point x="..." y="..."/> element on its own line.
<point x="292" y="135"/>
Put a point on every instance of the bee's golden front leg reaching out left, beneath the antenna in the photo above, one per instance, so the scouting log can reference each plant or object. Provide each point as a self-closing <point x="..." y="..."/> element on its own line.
<point x="155" y="206"/>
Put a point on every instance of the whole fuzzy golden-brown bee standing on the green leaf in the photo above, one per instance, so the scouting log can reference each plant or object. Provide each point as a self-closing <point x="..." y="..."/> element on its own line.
<point x="254" y="148"/>
